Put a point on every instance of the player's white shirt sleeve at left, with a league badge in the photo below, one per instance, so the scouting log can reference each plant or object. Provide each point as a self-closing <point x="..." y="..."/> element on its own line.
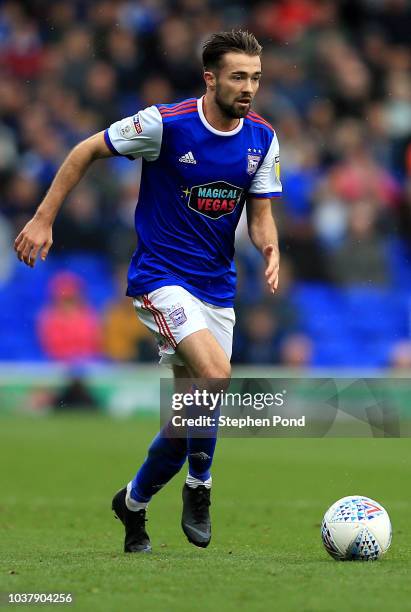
<point x="137" y="136"/>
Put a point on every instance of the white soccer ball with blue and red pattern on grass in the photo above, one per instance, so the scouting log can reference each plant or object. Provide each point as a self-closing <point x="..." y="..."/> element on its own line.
<point x="356" y="528"/>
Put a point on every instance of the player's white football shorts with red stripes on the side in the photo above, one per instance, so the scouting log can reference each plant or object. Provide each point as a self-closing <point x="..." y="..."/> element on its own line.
<point x="172" y="314"/>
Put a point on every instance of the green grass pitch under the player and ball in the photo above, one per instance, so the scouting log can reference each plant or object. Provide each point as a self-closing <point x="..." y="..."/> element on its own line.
<point x="58" y="533"/>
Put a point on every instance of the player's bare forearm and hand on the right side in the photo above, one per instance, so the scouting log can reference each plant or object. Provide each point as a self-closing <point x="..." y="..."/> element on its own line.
<point x="263" y="233"/>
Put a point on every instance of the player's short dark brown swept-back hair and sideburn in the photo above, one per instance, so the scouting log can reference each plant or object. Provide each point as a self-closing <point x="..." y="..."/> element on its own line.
<point x="237" y="41"/>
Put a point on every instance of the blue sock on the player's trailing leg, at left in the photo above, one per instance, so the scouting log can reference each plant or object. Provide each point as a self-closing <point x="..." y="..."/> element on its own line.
<point x="166" y="456"/>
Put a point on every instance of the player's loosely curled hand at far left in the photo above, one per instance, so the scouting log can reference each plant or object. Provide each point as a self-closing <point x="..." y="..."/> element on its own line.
<point x="36" y="237"/>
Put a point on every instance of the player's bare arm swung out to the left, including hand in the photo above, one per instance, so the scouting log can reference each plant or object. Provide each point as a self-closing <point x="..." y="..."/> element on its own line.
<point x="36" y="236"/>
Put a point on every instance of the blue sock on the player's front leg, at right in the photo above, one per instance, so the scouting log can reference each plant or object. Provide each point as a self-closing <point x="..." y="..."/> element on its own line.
<point x="201" y="450"/>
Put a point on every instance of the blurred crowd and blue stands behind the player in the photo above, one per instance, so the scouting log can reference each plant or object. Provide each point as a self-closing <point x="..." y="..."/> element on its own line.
<point x="337" y="88"/>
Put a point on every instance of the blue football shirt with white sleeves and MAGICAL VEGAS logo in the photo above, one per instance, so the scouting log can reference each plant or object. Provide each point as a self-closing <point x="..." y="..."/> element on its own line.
<point x="194" y="183"/>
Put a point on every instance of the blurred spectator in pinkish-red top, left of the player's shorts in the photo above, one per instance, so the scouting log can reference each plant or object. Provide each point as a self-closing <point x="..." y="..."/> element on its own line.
<point x="68" y="327"/>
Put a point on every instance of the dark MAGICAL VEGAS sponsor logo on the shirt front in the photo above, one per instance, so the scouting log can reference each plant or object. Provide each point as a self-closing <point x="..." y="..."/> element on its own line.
<point x="214" y="200"/>
